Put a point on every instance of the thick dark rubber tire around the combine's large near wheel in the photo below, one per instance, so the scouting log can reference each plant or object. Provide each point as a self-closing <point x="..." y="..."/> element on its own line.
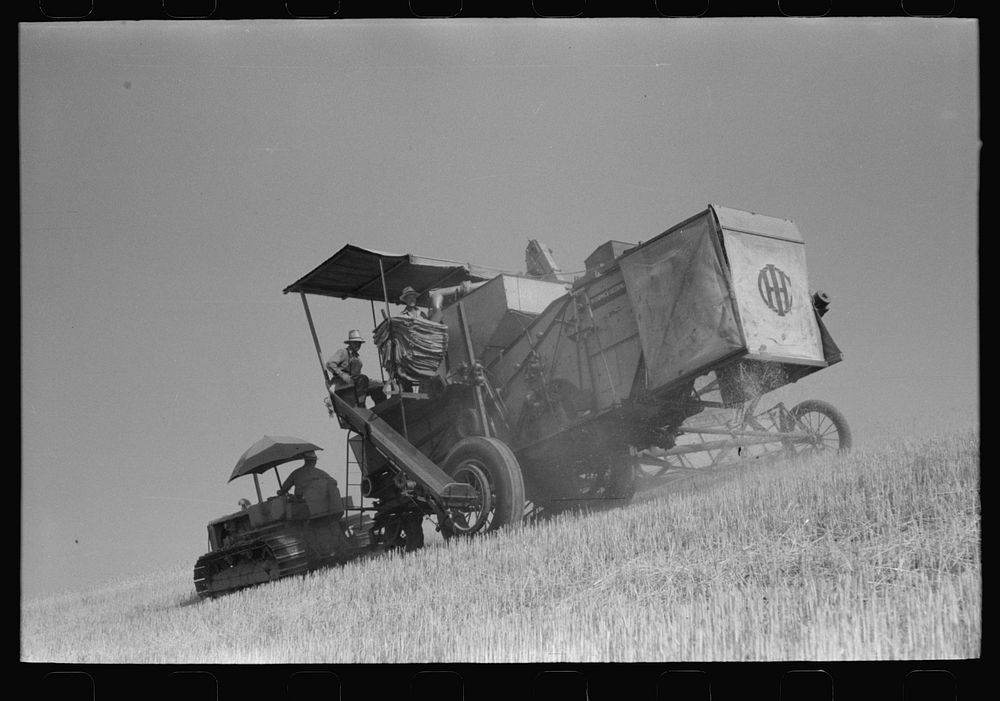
<point x="503" y="471"/>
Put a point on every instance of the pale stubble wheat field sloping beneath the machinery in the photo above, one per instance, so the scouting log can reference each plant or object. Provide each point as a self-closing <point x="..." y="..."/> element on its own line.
<point x="873" y="555"/>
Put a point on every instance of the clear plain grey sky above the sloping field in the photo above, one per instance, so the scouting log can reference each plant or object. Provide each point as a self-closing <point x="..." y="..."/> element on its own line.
<point x="176" y="177"/>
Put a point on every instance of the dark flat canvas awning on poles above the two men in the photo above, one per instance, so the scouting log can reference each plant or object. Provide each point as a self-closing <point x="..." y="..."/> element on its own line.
<point x="355" y="273"/>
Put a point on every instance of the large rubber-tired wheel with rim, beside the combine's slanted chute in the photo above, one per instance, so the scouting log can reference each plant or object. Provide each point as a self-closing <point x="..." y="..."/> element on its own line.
<point x="490" y="467"/>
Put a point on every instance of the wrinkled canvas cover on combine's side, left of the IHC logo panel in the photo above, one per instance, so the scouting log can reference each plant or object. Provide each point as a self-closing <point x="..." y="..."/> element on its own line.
<point x="682" y="301"/>
